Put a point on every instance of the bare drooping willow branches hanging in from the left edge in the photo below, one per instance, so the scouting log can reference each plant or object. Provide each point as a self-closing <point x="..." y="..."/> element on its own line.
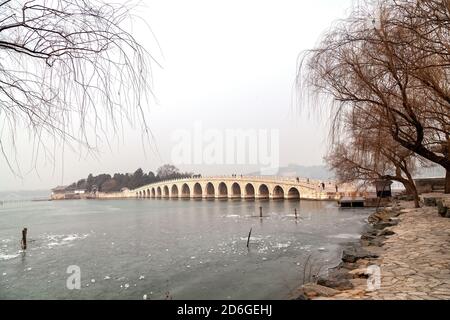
<point x="69" y="71"/>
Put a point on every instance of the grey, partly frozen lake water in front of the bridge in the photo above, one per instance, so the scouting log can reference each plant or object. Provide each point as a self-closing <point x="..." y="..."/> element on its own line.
<point x="166" y="248"/>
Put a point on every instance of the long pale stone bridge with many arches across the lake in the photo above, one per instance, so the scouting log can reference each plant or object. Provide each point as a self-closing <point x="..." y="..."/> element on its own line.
<point x="270" y="188"/>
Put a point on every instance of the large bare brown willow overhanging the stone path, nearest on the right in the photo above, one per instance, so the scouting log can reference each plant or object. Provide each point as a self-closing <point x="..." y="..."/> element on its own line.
<point x="389" y="62"/>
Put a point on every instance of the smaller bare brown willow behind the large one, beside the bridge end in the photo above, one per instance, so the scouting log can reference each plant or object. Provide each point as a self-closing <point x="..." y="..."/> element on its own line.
<point x="368" y="154"/>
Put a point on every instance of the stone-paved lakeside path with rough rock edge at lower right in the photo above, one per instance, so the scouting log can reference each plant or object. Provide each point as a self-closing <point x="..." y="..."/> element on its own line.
<point x="409" y="247"/>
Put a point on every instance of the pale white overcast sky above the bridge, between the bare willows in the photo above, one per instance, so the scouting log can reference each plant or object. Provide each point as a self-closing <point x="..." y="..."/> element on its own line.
<point x="227" y="65"/>
